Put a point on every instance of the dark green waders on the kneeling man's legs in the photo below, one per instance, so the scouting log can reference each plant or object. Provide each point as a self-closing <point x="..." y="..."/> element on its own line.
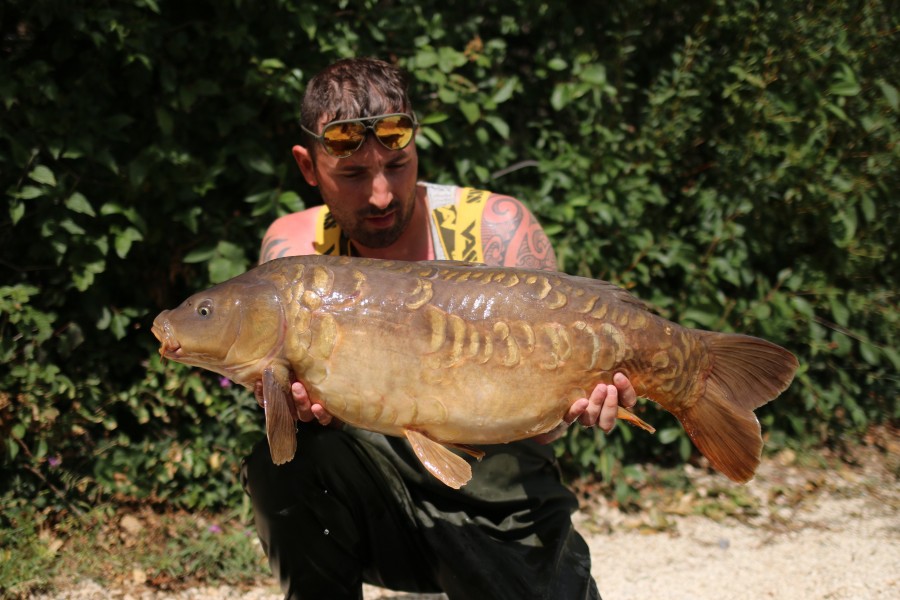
<point x="356" y="507"/>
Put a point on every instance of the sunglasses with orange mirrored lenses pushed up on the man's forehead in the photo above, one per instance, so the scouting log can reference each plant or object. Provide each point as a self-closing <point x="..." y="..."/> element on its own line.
<point x="343" y="138"/>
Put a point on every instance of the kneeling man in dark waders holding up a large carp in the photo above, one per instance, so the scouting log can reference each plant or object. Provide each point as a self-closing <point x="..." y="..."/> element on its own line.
<point x="357" y="506"/>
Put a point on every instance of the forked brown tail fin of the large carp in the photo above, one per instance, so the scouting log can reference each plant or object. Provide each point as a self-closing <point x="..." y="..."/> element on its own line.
<point x="746" y="372"/>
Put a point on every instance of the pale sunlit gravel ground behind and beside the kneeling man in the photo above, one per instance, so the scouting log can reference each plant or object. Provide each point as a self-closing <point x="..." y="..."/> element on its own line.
<point x="830" y="534"/>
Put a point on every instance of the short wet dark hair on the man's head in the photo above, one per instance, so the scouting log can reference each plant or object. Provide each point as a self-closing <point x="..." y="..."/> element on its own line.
<point x="353" y="88"/>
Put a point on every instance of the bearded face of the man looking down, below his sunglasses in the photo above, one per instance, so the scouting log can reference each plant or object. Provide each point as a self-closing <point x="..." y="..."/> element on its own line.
<point x="371" y="193"/>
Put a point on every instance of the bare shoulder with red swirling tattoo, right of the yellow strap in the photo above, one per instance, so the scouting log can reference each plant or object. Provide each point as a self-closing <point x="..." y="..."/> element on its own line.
<point x="512" y="237"/>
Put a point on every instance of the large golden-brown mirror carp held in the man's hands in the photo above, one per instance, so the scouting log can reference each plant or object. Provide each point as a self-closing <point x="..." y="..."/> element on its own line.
<point x="456" y="354"/>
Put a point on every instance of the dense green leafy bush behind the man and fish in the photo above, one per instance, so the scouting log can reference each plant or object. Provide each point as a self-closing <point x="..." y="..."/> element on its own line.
<point x="732" y="163"/>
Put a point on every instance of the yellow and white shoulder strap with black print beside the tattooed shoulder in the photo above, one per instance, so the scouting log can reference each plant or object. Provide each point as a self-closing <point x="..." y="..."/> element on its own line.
<point x="456" y="222"/>
